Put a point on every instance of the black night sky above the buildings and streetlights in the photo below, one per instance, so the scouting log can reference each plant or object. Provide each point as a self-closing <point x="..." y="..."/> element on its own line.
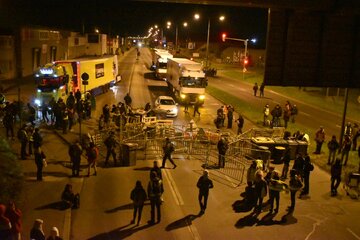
<point x="129" y="18"/>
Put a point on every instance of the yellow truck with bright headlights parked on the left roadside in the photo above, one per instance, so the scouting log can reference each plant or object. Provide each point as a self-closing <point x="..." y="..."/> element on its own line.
<point x="94" y="75"/>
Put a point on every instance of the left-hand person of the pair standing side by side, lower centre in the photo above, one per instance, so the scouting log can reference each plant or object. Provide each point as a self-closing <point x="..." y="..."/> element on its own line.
<point x="138" y="196"/>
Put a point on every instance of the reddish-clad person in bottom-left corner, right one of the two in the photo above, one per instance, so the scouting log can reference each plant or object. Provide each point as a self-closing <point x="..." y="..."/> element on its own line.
<point x="14" y="215"/>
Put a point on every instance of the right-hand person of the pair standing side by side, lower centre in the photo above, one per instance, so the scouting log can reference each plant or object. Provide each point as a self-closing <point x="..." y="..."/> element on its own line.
<point x="155" y="190"/>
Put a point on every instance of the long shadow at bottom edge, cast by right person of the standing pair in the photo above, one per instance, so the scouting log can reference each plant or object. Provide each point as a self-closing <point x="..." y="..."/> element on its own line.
<point x="120" y="233"/>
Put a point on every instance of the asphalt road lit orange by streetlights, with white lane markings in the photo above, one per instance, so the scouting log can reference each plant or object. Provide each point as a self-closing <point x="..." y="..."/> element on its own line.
<point x="105" y="211"/>
